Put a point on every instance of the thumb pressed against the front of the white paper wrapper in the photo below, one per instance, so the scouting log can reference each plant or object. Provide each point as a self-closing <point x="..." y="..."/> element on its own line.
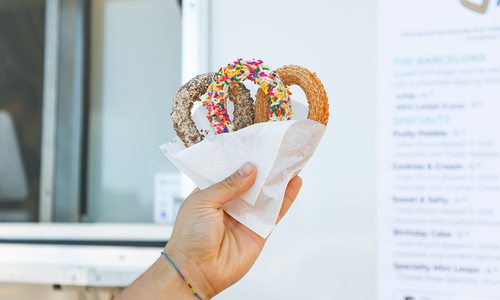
<point x="230" y="188"/>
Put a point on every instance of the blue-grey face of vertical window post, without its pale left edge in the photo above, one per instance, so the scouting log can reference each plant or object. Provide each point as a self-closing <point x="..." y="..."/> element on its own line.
<point x="71" y="91"/>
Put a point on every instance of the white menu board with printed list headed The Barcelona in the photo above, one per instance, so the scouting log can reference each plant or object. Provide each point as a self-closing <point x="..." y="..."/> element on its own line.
<point x="438" y="160"/>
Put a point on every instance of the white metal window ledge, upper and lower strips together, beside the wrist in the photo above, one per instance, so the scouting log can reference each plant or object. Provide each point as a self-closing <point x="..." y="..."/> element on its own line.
<point x="76" y="264"/>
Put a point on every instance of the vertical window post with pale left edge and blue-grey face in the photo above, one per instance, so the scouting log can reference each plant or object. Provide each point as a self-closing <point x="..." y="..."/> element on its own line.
<point x="64" y="90"/>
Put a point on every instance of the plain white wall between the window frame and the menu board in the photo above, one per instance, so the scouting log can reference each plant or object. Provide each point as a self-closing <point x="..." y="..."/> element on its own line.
<point x="325" y="247"/>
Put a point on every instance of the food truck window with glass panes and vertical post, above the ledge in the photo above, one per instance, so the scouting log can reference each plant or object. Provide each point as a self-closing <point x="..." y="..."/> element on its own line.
<point x="85" y="91"/>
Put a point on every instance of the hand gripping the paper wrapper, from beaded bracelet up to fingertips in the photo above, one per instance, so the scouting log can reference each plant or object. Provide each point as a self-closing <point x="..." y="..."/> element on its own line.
<point x="209" y="246"/>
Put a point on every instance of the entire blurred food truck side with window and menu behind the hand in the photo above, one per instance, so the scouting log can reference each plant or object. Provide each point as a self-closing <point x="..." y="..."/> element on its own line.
<point x="399" y="201"/>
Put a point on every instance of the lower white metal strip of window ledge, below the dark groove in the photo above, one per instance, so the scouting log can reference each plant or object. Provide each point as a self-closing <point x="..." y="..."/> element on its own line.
<point x="96" y="266"/>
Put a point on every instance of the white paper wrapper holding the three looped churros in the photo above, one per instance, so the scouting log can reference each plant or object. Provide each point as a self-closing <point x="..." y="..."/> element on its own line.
<point x="278" y="149"/>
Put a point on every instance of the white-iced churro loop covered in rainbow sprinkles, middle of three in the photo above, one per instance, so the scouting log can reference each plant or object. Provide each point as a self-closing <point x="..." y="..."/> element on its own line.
<point x="278" y="95"/>
